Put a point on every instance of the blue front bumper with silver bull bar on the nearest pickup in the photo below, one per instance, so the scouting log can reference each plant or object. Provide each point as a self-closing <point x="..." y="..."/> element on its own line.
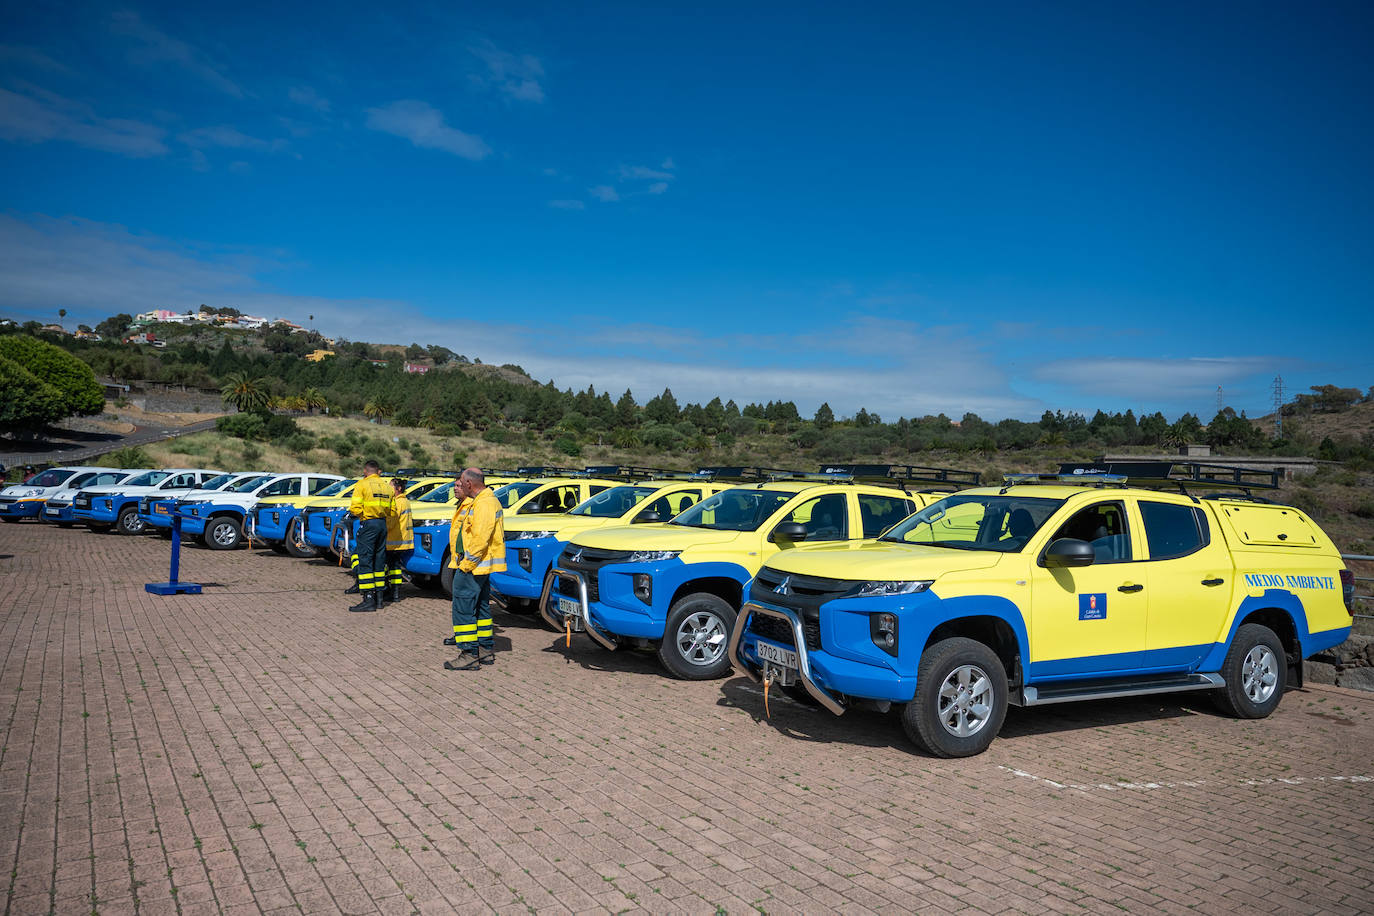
<point x="828" y="678"/>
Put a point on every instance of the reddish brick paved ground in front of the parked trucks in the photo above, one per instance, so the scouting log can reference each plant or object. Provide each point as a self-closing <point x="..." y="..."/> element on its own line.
<point x="259" y="749"/>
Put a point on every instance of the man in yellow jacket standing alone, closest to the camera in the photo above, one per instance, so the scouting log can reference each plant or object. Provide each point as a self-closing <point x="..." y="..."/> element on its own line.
<point x="479" y="528"/>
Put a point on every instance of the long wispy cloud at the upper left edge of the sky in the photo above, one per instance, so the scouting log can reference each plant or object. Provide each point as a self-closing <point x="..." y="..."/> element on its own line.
<point x="45" y="116"/>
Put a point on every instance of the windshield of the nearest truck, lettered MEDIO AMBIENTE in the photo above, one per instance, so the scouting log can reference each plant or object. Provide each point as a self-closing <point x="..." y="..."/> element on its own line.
<point x="976" y="523"/>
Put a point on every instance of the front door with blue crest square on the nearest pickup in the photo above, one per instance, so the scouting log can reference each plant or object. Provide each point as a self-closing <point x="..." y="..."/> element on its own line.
<point x="1090" y="620"/>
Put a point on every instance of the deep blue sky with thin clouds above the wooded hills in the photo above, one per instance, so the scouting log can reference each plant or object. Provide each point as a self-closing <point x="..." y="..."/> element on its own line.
<point x="1000" y="208"/>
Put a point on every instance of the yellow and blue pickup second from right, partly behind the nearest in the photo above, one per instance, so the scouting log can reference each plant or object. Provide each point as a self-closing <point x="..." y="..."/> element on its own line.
<point x="677" y="587"/>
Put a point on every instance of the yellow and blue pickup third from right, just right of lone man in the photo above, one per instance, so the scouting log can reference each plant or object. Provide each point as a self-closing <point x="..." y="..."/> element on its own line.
<point x="534" y="542"/>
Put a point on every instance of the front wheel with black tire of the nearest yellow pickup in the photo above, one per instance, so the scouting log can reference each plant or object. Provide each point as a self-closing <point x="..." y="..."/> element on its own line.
<point x="958" y="724"/>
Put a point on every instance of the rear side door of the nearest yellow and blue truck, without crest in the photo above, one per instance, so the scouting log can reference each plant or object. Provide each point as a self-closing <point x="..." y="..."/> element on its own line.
<point x="1192" y="580"/>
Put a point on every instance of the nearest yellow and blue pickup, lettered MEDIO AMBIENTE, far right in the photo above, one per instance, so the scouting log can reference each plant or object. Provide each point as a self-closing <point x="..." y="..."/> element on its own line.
<point x="1099" y="582"/>
